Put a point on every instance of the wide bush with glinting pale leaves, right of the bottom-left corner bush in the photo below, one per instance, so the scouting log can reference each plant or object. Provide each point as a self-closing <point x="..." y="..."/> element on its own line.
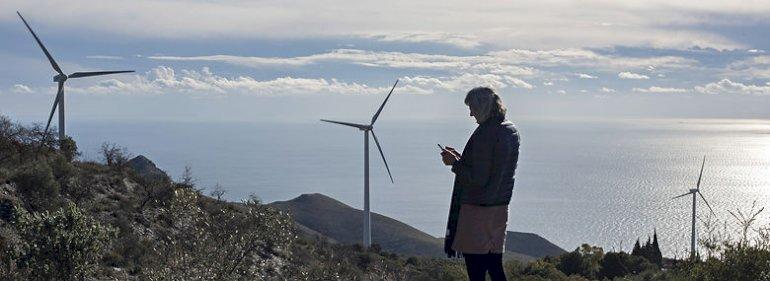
<point x="237" y="242"/>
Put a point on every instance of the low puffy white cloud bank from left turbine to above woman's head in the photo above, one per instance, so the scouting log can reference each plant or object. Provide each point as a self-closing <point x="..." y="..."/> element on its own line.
<point x="165" y="80"/>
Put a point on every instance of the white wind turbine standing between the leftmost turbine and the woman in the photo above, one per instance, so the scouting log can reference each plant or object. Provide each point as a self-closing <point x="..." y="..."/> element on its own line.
<point x="367" y="129"/>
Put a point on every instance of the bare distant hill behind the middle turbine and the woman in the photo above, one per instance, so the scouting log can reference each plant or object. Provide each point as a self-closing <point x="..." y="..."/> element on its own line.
<point x="339" y="222"/>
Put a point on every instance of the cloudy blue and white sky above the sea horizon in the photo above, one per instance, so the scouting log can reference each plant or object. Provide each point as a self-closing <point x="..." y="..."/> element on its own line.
<point x="302" y="60"/>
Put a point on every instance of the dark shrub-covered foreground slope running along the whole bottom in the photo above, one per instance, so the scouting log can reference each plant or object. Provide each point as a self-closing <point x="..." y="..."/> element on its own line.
<point x="64" y="219"/>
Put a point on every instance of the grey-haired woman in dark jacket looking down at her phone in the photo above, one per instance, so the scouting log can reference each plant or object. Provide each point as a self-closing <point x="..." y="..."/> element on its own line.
<point x="484" y="176"/>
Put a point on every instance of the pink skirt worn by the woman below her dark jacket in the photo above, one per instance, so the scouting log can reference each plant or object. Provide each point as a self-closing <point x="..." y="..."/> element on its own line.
<point x="481" y="230"/>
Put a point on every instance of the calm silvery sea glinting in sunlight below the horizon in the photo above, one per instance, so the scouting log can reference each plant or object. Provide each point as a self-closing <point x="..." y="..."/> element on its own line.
<point x="603" y="182"/>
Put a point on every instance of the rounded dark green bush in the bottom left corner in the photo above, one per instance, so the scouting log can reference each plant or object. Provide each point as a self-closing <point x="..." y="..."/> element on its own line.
<point x="62" y="245"/>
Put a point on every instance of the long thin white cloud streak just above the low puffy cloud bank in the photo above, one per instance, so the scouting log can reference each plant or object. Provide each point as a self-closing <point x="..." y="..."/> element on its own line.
<point x="514" y="62"/>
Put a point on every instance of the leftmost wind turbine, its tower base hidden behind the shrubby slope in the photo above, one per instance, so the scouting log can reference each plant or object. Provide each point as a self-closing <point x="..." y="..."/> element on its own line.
<point x="60" y="78"/>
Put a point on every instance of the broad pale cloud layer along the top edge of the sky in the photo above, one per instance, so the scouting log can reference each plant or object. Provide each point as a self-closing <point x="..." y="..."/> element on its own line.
<point x="519" y="24"/>
